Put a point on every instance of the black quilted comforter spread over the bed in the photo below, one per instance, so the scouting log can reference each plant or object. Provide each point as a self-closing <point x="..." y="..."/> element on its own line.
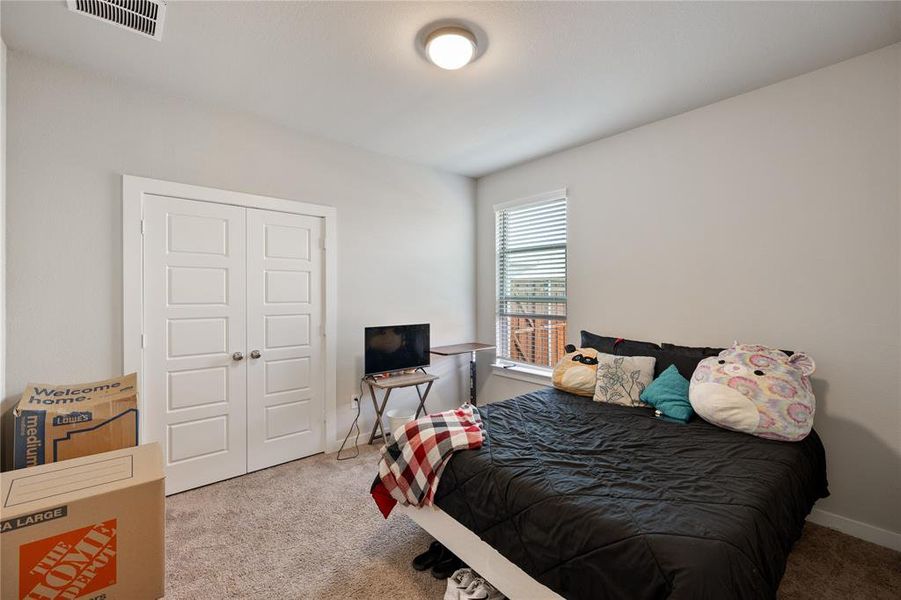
<point x="604" y="501"/>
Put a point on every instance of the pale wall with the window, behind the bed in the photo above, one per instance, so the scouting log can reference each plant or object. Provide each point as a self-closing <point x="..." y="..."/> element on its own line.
<point x="771" y="217"/>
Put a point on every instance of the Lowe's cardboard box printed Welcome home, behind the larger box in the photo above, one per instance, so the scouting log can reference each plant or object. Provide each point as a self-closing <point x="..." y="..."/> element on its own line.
<point x="54" y="423"/>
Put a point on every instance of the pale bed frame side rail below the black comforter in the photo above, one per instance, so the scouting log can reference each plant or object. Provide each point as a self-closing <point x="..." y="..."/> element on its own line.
<point x="512" y="581"/>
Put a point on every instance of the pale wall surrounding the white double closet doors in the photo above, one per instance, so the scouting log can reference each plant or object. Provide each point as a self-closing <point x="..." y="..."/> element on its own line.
<point x="405" y="232"/>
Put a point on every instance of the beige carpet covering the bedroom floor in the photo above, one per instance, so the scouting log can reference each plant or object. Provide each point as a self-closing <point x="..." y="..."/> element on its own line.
<point x="308" y="529"/>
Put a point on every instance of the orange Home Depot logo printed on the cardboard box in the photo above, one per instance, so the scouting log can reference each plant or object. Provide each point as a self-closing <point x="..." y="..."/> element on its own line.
<point x="69" y="565"/>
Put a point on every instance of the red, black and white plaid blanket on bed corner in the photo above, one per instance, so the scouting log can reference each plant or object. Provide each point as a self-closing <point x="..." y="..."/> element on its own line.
<point x="411" y="465"/>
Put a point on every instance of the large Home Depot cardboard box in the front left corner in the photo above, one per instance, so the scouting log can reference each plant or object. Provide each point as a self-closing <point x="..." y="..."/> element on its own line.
<point x="91" y="527"/>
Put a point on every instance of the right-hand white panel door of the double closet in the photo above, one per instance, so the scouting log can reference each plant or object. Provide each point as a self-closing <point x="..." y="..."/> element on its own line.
<point x="285" y="399"/>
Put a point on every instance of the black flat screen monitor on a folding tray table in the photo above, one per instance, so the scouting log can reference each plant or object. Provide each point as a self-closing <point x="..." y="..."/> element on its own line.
<point x="396" y="348"/>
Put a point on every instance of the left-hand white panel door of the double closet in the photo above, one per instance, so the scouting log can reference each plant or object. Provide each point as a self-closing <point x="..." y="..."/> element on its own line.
<point x="194" y="321"/>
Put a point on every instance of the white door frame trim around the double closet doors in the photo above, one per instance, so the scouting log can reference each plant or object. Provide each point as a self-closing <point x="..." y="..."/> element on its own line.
<point x="133" y="190"/>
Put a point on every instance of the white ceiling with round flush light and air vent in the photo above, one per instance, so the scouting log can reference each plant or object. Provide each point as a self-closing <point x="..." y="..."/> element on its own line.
<point x="554" y="75"/>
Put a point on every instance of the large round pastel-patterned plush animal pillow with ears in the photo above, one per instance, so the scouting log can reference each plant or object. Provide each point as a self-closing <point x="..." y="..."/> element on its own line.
<point x="756" y="390"/>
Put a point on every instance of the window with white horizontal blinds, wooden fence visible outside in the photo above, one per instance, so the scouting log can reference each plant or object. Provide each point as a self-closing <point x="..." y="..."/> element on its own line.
<point x="531" y="281"/>
